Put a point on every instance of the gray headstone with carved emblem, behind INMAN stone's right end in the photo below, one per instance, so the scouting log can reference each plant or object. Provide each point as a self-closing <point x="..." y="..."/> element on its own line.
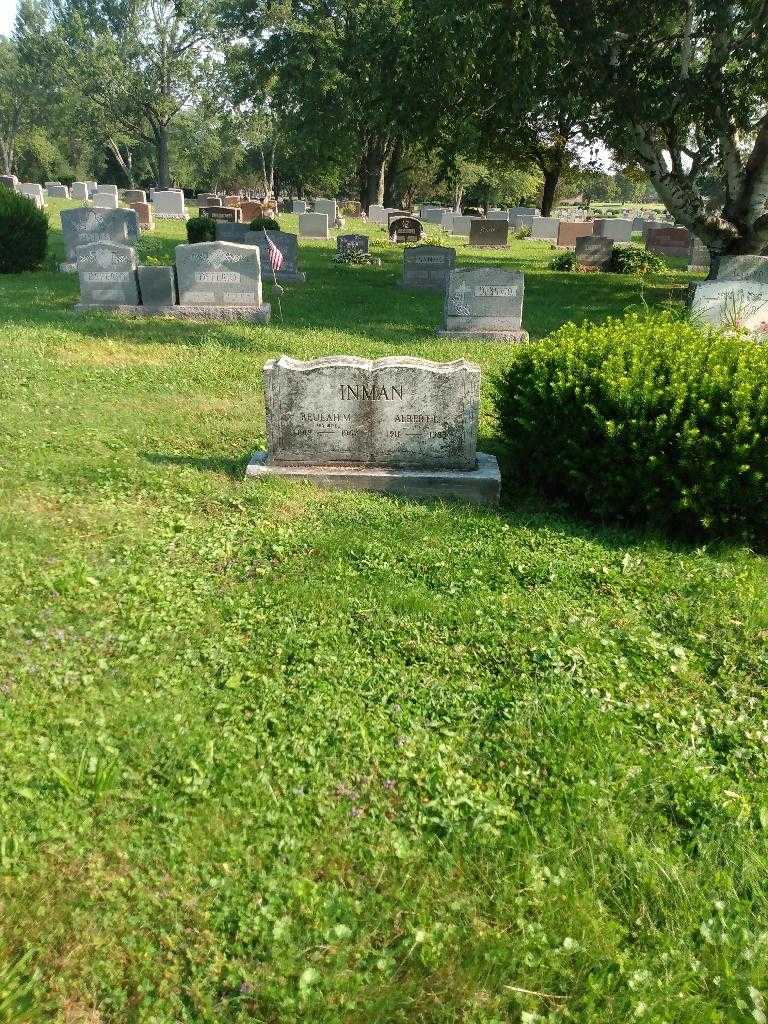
<point x="485" y="302"/>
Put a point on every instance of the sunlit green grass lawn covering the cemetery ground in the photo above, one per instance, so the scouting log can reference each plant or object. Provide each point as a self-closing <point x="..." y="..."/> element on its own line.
<point x="271" y="754"/>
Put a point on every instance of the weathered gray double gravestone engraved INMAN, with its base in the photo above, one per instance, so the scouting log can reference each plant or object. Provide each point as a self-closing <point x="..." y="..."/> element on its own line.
<point x="400" y="424"/>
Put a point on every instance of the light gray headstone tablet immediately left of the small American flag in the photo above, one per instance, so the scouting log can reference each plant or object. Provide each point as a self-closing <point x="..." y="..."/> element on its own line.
<point x="219" y="274"/>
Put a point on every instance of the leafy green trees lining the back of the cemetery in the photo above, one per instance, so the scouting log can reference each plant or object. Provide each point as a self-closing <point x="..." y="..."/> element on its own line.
<point x="391" y="101"/>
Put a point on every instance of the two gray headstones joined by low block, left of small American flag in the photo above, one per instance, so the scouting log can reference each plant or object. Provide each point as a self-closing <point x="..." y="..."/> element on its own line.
<point x="206" y="274"/>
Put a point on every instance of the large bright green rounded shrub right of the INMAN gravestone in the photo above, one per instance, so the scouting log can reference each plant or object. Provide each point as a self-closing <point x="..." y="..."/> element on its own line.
<point x="650" y="420"/>
